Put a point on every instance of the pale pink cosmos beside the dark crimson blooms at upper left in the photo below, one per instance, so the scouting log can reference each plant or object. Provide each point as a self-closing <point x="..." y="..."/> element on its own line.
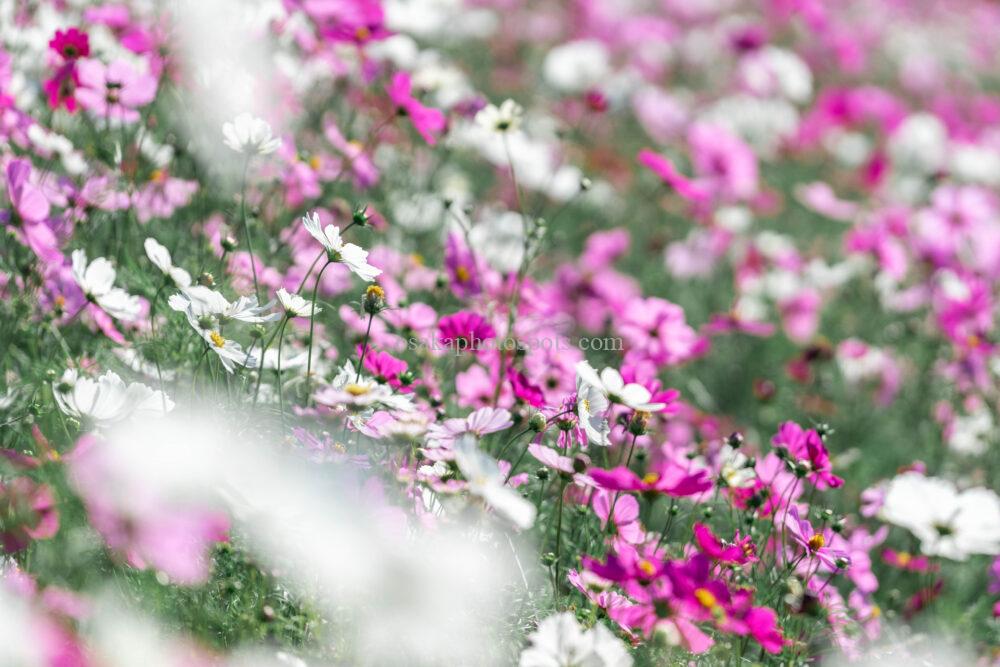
<point x="115" y="90"/>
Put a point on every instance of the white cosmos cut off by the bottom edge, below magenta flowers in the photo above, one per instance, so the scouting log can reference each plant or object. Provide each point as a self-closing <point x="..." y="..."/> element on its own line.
<point x="560" y="641"/>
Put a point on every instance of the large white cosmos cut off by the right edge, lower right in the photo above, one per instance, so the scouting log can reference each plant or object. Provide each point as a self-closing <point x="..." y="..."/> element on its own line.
<point x="948" y="522"/>
